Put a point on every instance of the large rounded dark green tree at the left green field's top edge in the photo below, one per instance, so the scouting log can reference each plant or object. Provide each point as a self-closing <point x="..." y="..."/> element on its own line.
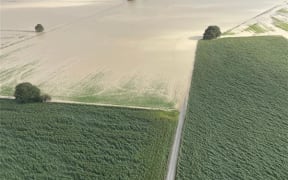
<point x="26" y="93"/>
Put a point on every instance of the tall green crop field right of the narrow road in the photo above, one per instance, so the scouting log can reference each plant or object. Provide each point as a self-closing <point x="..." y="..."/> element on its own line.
<point x="236" y="126"/>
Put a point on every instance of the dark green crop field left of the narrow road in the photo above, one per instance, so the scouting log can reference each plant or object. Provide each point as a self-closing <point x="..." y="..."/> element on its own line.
<point x="65" y="141"/>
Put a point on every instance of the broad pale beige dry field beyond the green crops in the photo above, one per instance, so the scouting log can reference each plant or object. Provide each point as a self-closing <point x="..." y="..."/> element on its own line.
<point x="138" y="53"/>
